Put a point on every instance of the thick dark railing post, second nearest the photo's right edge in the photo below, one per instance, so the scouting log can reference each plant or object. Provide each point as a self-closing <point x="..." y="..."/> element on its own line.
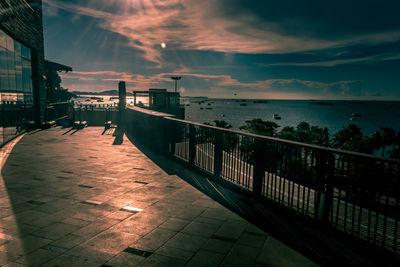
<point x="259" y="166"/>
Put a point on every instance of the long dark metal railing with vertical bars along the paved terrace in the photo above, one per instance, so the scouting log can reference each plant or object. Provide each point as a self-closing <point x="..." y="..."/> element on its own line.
<point x="355" y="193"/>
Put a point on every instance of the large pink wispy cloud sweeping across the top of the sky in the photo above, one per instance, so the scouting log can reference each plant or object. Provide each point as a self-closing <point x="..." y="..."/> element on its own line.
<point x="202" y="25"/>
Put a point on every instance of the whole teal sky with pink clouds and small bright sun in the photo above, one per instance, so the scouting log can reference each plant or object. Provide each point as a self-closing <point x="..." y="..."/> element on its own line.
<point x="229" y="48"/>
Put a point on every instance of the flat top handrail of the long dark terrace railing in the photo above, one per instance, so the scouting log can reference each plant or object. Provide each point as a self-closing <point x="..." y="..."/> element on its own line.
<point x="290" y="142"/>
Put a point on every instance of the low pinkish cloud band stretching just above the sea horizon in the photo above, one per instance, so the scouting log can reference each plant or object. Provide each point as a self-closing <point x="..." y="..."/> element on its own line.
<point x="218" y="85"/>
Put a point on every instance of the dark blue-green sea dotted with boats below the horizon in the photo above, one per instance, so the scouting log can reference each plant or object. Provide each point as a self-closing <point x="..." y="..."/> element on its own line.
<point x="332" y="114"/>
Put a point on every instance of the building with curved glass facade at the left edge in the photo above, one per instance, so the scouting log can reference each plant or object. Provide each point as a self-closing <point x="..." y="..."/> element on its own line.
<point x="22" y="67"/>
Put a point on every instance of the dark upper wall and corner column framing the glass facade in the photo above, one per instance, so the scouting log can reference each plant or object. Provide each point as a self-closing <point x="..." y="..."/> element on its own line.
<point x="22" y="20"/>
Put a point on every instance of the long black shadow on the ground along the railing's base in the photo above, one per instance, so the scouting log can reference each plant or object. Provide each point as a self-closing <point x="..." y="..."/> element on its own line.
<point x="297" y="233"/>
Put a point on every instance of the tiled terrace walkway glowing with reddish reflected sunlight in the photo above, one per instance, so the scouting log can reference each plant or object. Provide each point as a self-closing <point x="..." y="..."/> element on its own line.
<point x="75" y="199"/>
